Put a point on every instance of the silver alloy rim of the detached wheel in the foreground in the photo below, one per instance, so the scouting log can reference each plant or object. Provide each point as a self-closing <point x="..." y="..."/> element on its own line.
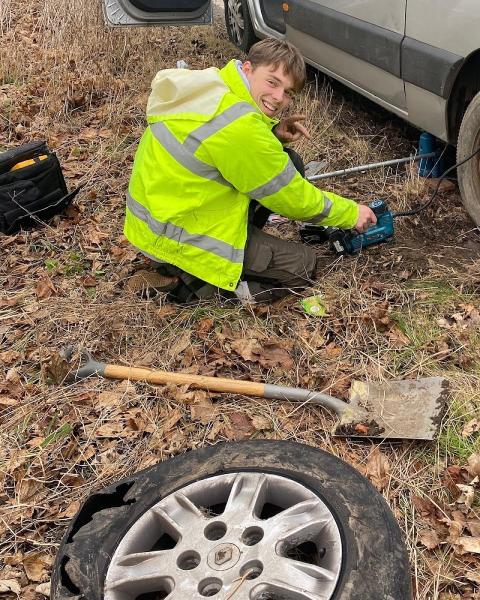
<point x="255" y="536"/>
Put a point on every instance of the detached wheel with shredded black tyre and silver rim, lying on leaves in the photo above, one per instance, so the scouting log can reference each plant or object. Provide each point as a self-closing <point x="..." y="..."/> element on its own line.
<point x="318" y="530"/>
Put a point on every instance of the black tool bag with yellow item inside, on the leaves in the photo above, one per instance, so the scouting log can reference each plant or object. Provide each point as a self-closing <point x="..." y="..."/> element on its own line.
<point x="32" y="187"/>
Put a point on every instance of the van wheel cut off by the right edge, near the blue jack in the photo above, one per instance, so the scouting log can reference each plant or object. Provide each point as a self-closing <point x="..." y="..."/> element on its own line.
<point x="469" y="173"/>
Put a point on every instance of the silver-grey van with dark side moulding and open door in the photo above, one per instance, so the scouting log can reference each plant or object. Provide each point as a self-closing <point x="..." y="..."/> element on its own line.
<point x="419" y="59"/>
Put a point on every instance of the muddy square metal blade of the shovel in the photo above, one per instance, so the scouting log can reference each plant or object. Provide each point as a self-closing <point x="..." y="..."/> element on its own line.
<point x="405" y="409"/>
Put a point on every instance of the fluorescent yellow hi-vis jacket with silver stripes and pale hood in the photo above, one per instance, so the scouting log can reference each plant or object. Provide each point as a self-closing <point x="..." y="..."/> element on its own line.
<point x="207" y="151"/>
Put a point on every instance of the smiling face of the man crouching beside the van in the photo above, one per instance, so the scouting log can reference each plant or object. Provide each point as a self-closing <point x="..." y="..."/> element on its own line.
<point x="270" y="87"/>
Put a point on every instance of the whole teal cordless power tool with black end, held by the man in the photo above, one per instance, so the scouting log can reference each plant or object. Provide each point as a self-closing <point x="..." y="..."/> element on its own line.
<point x="350" y="241"/>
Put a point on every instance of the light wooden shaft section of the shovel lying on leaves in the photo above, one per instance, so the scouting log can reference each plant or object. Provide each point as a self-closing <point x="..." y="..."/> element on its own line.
<point x="212" y="384"/>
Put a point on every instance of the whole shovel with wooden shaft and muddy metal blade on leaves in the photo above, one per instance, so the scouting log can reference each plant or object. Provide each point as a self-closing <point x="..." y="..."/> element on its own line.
<point x="408" y="409"/>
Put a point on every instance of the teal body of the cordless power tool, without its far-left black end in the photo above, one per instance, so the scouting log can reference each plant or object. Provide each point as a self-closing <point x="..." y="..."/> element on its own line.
<point x="351" y="242"/>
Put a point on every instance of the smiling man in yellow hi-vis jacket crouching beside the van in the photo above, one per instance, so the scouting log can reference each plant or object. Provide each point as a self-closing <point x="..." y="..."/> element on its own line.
<point x="209" y="168"/>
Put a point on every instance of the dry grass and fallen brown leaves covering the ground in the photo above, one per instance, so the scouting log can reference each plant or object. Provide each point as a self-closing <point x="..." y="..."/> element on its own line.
<point x="402" y="310"/>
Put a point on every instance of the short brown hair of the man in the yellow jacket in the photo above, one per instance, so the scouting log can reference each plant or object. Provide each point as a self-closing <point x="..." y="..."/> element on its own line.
<point x="279" y="52"/>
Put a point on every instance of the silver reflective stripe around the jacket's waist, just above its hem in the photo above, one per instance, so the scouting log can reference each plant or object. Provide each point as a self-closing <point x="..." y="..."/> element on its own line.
<point x="180" y="235"/>
